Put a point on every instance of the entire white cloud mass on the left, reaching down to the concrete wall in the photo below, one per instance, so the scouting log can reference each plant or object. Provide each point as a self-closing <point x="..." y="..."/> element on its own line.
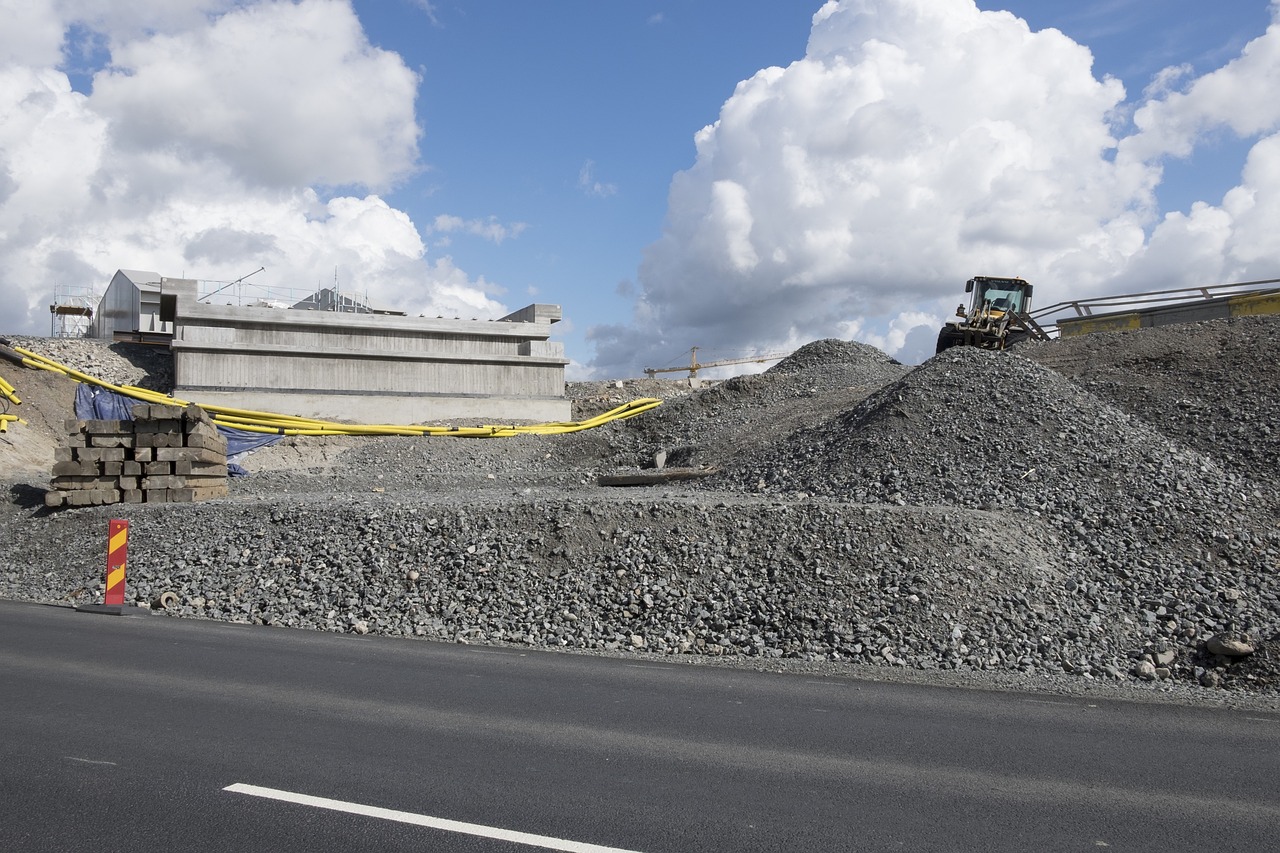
<point x="205" y="149"/>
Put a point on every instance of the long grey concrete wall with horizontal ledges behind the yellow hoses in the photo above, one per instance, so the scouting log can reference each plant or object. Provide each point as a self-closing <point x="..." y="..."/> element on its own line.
<point x="368" y="368"/>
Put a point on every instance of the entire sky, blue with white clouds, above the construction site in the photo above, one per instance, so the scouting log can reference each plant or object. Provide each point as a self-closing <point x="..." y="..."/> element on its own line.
<point x="738" y="176"/>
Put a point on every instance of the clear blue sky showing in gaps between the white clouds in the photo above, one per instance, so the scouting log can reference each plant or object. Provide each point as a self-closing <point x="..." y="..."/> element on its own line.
<point x="520" y="98"/>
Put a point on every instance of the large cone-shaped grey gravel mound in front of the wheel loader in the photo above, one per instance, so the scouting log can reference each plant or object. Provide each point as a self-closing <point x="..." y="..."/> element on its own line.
<point x="977" y="428"/>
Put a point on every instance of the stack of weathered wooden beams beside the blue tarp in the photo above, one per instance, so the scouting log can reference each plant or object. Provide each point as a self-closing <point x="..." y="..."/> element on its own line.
<point x="164" y="455"/>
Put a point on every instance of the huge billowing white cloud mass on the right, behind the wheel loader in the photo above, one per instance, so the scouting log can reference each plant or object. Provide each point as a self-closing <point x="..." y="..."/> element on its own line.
<point x="921" y="143"/>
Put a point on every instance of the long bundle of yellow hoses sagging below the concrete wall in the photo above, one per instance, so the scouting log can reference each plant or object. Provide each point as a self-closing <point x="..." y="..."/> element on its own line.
<point x="276" y="425"/>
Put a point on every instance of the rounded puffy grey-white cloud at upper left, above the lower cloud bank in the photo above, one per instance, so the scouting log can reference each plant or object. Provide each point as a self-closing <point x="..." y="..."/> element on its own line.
<point x="284" y="94"/>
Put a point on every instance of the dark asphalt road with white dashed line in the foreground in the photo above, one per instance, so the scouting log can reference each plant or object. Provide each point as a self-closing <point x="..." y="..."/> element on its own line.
<point x="163" y="735"/>
